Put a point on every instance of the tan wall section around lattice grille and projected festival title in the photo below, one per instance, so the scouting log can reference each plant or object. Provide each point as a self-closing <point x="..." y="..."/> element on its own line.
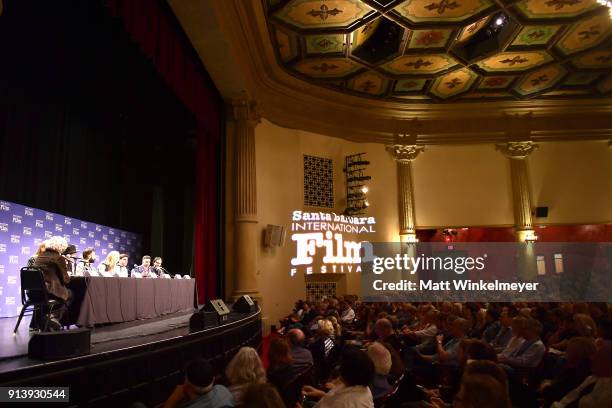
<point x="280" y="181"/>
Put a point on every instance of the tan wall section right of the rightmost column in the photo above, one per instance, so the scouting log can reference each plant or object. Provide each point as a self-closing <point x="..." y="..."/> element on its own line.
<point x="574" y="180"/>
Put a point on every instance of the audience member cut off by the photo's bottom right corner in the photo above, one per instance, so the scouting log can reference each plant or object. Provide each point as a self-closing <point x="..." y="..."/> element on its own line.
<point x="596" y="390"/>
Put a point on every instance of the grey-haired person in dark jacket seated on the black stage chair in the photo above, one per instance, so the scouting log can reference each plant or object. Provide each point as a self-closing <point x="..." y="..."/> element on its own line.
<point x="55" y="273"/>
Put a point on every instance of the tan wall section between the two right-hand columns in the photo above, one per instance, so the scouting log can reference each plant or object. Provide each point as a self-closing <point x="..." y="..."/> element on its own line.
<point x="458" y="186"/>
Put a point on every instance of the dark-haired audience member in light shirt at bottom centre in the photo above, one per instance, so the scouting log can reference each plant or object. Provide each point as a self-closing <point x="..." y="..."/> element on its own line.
<point x="352" y="390"/>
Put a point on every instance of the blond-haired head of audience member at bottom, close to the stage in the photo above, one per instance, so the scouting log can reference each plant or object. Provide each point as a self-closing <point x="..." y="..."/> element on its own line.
<point x="243" y="370"/>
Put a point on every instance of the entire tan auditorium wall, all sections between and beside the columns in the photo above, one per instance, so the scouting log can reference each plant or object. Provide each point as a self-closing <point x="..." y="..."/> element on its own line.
<point x="454" y="186"/>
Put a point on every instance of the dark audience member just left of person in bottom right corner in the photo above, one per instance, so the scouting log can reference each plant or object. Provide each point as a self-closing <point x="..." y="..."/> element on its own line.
<point x="576" y="368"/>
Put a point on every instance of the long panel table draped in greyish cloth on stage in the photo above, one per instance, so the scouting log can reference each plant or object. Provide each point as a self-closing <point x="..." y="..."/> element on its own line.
<point x="99" y="300"/>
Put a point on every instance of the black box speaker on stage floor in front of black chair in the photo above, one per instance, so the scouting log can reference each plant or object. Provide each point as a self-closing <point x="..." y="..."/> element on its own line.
<point x="60" y="344"/>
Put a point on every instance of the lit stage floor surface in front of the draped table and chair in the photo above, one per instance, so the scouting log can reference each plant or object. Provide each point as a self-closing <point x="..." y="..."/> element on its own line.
<point x="14" y="348"/>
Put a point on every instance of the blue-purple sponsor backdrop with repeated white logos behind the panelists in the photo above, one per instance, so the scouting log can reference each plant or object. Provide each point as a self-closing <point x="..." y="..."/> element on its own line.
<point x="22" y="229"/>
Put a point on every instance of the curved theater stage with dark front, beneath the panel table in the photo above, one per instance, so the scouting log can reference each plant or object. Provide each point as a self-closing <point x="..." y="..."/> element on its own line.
<point x="132" y="361"/>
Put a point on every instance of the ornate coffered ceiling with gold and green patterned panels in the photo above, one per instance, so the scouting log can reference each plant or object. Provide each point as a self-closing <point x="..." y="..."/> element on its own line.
<point x="410" y="50"/>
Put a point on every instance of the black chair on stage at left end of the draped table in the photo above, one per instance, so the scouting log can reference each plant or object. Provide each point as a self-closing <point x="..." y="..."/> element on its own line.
<point x="34" y="293"/>
